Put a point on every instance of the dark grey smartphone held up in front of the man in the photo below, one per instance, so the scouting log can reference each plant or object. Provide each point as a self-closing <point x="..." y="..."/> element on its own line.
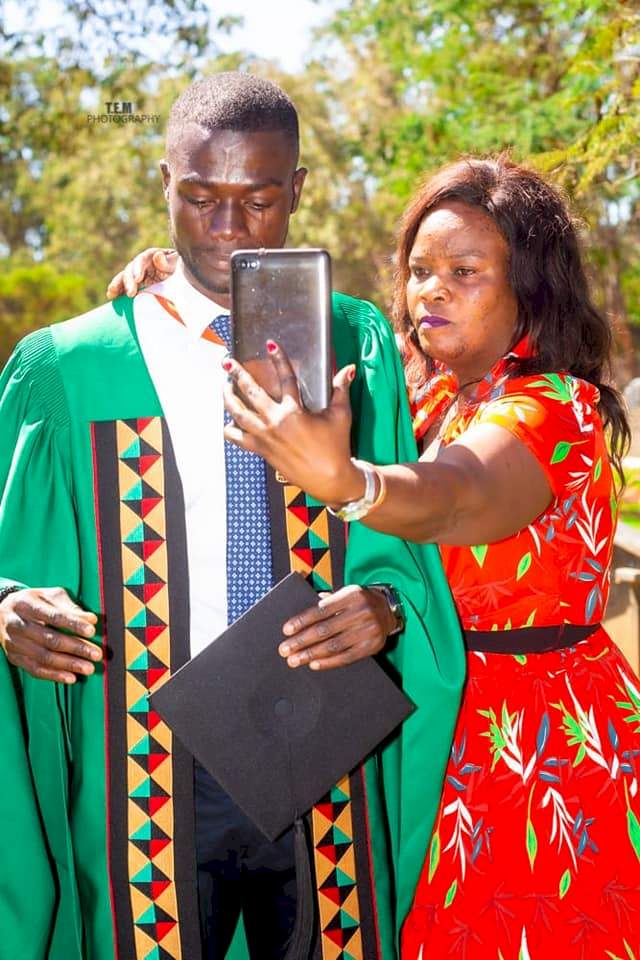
<point x="284" y="295"/>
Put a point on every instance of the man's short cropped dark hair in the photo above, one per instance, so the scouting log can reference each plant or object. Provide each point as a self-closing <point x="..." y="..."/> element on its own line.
<point x="233" y="101"/>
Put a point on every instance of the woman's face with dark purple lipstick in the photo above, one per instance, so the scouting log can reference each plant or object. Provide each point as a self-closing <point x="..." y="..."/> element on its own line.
<point x="458" y="294"/>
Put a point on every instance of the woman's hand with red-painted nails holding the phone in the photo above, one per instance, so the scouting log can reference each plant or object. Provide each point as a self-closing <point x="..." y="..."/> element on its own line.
<point x="312" y="450"/>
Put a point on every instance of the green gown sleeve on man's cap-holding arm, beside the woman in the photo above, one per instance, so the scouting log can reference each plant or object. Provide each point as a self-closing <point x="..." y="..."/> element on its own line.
<point x="428" y="658"/>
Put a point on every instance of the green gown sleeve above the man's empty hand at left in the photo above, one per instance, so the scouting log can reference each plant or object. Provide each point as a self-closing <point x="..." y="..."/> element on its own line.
<point x="38" y="529"/>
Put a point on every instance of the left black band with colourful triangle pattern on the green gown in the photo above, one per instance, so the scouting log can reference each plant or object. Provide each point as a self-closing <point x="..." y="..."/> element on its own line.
<point x="142" y="550"/>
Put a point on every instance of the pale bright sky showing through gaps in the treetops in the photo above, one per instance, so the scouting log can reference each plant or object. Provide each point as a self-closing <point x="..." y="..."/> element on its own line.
<point x="275" y="29"/>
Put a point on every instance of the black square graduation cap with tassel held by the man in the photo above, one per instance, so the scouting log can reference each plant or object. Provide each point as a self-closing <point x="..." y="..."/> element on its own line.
<point x="278" y="739"/>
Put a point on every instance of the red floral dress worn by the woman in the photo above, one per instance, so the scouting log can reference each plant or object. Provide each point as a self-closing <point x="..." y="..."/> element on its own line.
<point x="536" y="849"/>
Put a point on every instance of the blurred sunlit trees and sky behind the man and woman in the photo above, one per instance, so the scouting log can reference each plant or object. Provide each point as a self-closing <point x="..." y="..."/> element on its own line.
<point x="387" y="91"/>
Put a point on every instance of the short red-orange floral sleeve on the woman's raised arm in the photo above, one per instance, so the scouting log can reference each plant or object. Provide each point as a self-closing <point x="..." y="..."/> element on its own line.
<point x="555" y="416"/>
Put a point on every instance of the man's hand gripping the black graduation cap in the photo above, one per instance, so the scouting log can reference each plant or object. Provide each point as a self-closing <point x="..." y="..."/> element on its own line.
<point x="348" y="625"/>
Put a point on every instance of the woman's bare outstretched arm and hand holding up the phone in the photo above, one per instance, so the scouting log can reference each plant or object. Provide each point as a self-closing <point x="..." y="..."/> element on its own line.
<point x="482" y="488"/>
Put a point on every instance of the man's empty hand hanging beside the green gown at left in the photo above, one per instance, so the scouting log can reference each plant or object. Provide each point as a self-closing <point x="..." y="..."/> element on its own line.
<point x="31" y="625"/>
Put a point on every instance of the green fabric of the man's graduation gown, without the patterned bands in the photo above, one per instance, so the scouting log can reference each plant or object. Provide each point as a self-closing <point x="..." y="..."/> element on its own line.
<point x="52" y="765"/>
